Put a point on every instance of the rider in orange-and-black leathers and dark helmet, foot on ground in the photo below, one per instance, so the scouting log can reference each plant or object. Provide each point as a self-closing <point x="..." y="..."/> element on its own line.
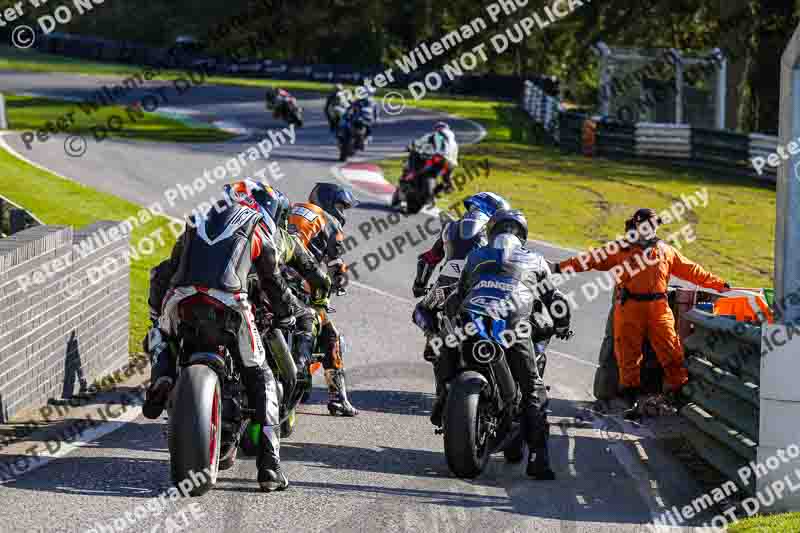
<point x="318" y="223"/>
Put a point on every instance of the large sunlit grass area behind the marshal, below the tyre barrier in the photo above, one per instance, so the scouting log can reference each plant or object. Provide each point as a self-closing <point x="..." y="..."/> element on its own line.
<point x="579" y="202"/>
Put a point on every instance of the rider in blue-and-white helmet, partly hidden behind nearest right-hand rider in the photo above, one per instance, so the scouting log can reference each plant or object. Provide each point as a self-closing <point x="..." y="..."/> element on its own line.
<point x="457" y="240"/>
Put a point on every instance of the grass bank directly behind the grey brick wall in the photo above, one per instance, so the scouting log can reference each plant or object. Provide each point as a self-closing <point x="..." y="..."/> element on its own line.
<point x="57" y="201"/>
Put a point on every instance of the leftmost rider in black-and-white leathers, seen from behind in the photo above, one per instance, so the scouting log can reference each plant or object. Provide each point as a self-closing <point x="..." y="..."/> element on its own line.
<point x="215" y="255"/>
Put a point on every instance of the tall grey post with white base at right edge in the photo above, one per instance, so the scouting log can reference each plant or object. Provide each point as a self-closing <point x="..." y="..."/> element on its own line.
<point x="780" y="360"/>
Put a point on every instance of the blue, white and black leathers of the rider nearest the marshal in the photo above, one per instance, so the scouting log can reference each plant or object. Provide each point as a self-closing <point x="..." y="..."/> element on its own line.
<point x="505" y="281"/>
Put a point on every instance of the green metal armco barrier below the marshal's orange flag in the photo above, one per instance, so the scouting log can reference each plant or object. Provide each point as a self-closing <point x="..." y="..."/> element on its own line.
<point x="723" y="357"/>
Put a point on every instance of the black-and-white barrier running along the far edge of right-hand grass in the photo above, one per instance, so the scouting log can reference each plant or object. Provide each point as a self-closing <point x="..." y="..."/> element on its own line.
<point x="717" y="150"/>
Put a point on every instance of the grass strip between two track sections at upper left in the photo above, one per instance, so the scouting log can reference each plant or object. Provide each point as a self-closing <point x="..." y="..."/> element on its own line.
<point x="27" y="113"/>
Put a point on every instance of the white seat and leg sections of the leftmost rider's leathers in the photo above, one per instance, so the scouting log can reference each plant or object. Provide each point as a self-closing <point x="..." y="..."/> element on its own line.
<point x="251" y="348"/>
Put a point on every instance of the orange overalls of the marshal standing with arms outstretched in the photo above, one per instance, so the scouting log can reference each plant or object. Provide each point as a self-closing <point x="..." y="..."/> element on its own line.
<point x="643" y="272"/>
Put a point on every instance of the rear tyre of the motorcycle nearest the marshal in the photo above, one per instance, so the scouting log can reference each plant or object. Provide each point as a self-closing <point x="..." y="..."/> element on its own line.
<point x="466" y="457"/>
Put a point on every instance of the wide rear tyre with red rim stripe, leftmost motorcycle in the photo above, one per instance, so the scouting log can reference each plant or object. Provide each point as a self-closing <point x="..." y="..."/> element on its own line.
<point x="196" y="428"/>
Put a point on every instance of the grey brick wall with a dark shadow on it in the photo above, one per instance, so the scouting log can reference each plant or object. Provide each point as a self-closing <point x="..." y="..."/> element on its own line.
<point x="64" y="315"/>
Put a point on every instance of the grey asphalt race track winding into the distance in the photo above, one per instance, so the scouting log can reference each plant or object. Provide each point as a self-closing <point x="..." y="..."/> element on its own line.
<point x="383" y="470"/>
